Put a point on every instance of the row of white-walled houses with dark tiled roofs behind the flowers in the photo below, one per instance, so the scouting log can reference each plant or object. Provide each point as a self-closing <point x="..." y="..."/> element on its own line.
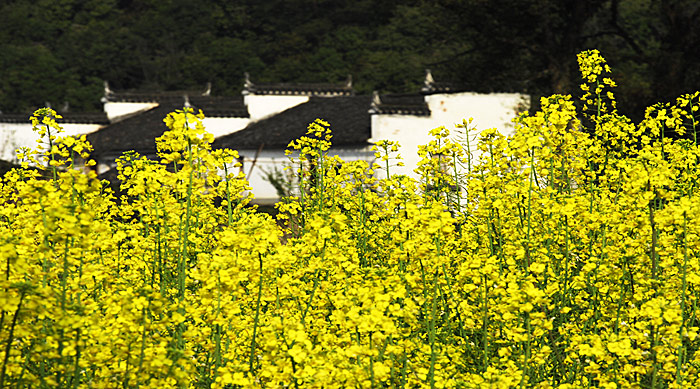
<point x="261" y="123"/>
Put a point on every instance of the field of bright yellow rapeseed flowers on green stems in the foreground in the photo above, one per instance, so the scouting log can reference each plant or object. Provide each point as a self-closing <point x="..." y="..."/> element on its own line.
<point x="566" y="256"/>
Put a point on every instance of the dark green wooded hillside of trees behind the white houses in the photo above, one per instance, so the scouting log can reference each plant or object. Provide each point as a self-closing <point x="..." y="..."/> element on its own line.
<point x="61" y="50"/>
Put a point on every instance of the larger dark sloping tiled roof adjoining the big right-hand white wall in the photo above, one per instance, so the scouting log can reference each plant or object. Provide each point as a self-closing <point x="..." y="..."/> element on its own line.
<point x="348" y="116"/>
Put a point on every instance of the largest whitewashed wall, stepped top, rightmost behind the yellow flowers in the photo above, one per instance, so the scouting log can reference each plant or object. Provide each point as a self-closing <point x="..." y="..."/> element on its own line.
<point x="488" y="110"/>
